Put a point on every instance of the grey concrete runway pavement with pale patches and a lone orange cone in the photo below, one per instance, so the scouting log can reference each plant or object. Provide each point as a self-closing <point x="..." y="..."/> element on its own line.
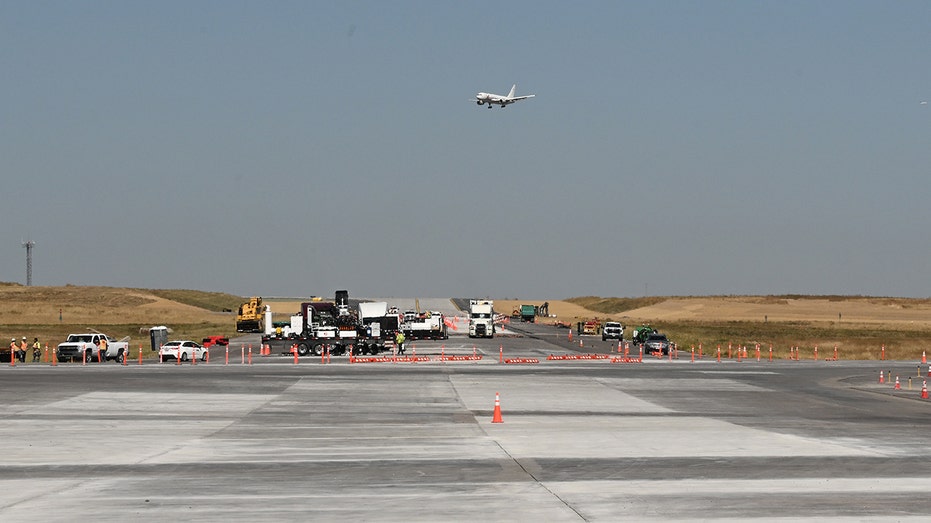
<point x="581" y="440"/>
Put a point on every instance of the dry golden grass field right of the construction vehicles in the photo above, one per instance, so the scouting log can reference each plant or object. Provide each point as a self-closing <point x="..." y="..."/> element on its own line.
<point x="859" y="326"/>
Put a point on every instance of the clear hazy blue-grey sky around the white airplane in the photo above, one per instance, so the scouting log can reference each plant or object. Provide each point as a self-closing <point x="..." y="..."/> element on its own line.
<point x="294" y="148"/>
